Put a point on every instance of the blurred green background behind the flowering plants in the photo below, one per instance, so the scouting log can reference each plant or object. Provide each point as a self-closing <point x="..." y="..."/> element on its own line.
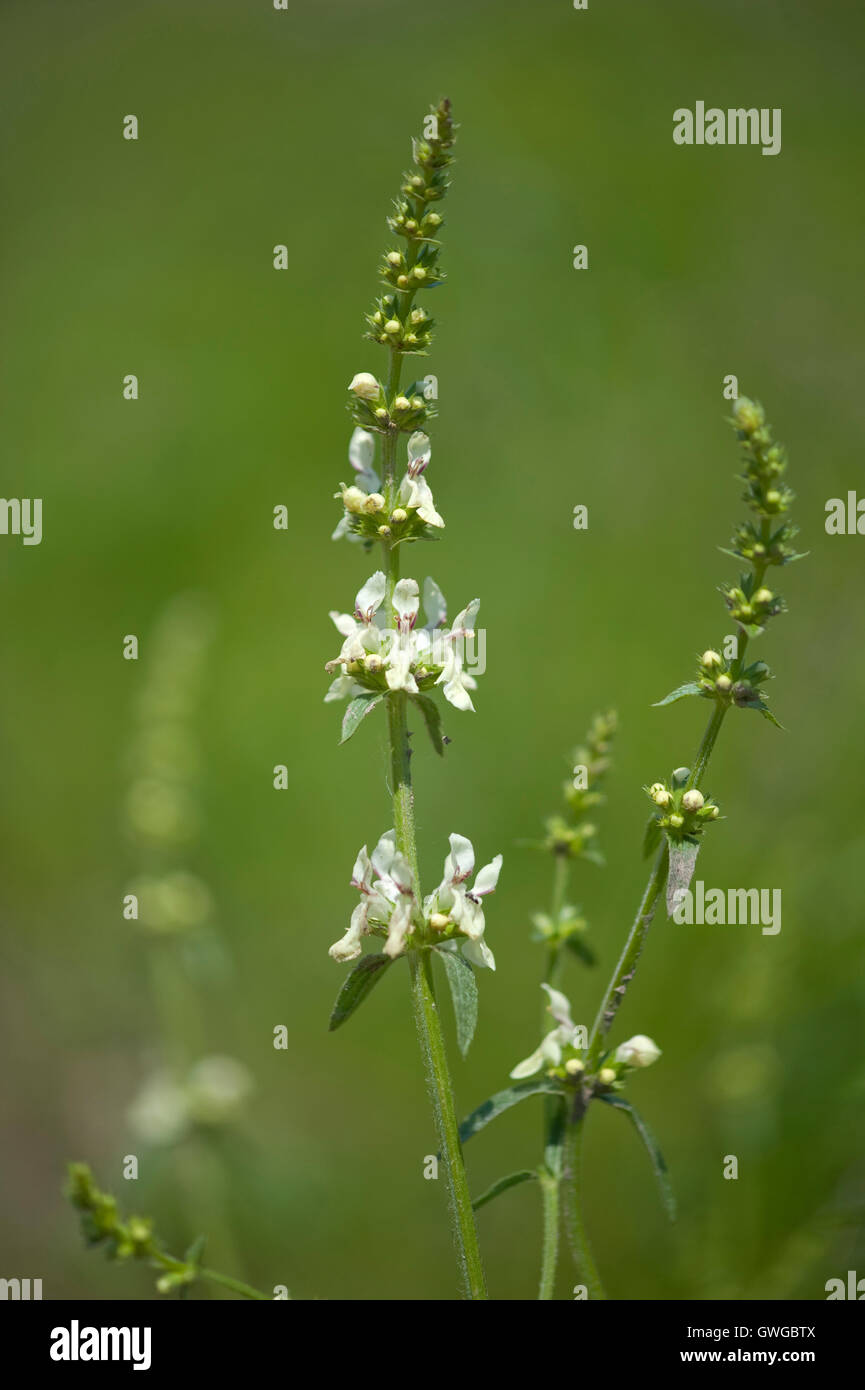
<point x="557" y="387"/>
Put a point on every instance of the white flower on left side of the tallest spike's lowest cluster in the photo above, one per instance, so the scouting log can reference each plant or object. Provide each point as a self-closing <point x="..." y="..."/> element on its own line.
<point x="387" y="900"/>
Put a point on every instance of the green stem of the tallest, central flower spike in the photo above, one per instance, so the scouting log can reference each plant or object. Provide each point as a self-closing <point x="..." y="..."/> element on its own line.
<point x="423" y="993"/>
